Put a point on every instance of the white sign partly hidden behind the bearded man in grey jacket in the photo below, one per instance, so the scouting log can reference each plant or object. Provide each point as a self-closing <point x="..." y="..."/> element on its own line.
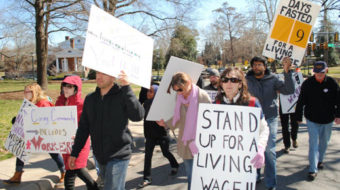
<point x="288" y="102"/>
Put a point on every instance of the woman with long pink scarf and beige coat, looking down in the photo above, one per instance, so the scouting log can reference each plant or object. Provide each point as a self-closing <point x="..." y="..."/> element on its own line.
<point x="185" y="117"/>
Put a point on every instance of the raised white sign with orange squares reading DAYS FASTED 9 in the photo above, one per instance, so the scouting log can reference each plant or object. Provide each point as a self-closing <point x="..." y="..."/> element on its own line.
<point x="290" y="30"/>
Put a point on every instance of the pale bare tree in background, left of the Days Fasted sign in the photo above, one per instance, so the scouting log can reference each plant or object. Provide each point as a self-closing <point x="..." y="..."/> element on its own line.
<point x="231" y="22"/>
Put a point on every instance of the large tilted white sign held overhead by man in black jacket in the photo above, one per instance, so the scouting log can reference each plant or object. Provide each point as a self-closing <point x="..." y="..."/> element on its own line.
<point x="112" y="45"/>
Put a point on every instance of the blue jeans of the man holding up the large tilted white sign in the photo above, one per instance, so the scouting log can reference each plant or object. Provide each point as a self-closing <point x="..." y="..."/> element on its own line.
<point x="114" y="173"/>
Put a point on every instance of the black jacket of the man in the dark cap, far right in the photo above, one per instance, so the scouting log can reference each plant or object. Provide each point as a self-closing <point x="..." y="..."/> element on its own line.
<point x="320" y="101"/>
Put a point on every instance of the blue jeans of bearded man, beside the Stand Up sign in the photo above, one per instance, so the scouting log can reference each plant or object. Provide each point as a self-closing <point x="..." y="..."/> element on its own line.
<point x="270" y="155"/>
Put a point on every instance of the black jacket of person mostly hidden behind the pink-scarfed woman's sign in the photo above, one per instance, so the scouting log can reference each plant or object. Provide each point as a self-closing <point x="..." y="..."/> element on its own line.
<point x="151" y="129"/>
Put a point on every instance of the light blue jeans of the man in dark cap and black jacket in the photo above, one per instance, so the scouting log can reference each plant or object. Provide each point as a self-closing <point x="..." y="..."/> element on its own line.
<point x="319" y="135"/>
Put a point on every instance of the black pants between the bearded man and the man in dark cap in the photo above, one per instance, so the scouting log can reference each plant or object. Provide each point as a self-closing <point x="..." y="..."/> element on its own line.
<point x="285" y="128"/>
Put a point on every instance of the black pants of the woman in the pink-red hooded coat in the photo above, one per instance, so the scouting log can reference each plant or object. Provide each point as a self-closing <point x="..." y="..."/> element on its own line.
<point x="82" y="173"/>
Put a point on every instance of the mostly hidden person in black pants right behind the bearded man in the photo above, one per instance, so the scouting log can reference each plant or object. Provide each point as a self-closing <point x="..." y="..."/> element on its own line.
<point x="286" y="134"/>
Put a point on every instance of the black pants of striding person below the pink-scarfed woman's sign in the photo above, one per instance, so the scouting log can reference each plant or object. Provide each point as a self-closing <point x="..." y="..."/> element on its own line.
<point x="149" y="147"/>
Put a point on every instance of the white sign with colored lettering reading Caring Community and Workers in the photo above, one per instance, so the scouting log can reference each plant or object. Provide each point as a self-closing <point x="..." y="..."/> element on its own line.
<point x="50" y="129"/>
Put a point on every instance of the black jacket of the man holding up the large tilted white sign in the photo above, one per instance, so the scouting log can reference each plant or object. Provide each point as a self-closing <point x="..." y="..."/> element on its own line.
<point x="105" y="119"/>
